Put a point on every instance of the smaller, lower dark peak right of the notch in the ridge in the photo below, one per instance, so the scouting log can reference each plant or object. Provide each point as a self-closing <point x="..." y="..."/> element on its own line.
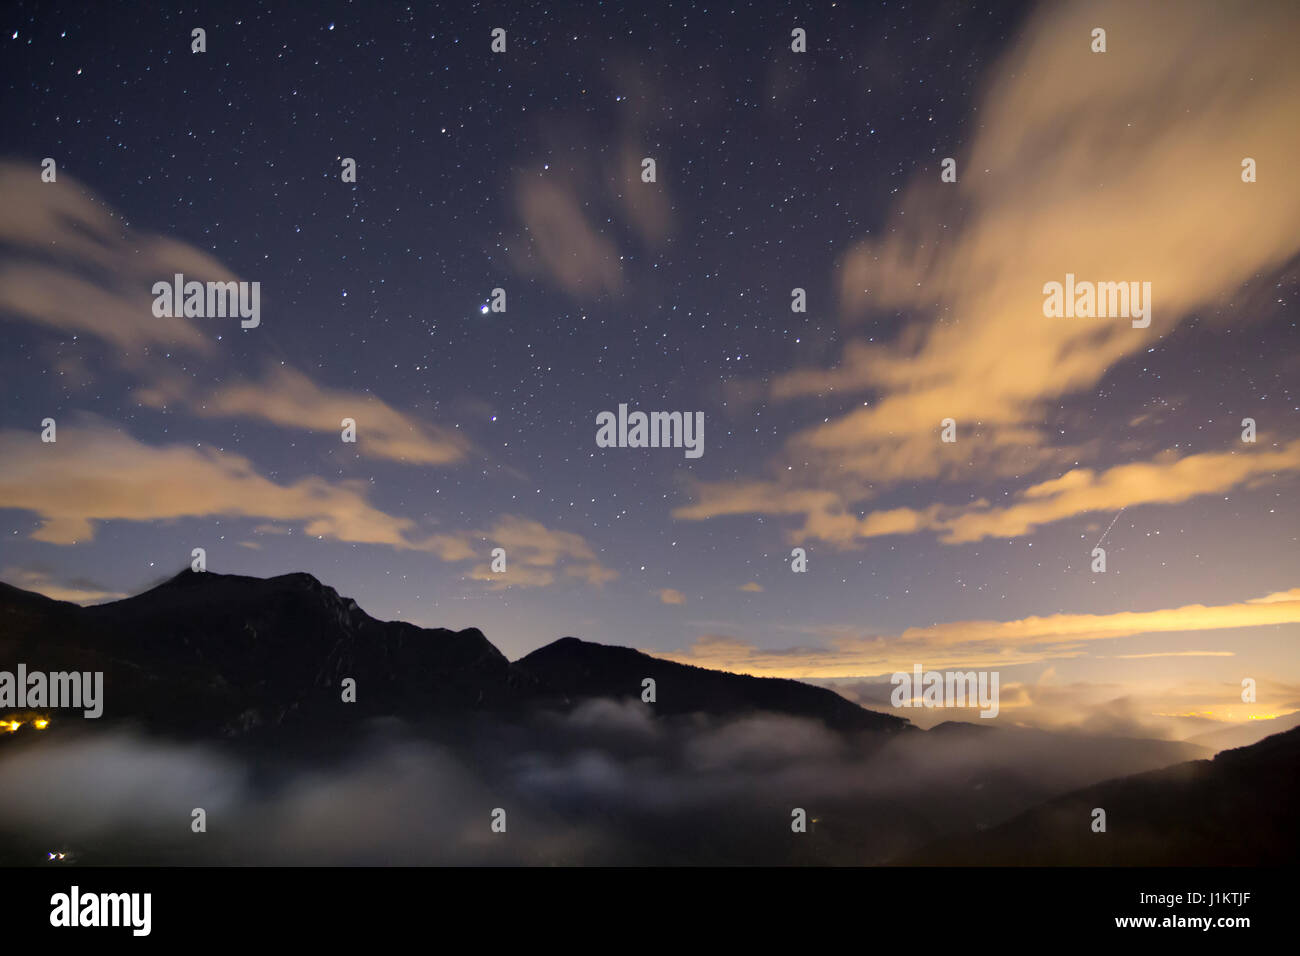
<point x="570" y="671"/>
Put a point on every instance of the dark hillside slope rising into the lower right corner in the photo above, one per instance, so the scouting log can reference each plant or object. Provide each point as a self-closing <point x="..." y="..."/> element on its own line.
<point x="1237" y="810"/>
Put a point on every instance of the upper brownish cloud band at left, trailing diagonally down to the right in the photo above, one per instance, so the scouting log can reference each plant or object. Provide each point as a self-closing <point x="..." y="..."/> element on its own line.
<point x="71" y="265"/>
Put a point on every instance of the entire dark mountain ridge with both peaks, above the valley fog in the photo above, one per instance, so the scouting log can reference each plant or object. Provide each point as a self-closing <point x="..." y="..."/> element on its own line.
<point x="227" y="654"/>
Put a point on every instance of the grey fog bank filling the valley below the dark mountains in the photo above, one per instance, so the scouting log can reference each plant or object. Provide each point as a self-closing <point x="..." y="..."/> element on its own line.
<point x="606" y="784"/>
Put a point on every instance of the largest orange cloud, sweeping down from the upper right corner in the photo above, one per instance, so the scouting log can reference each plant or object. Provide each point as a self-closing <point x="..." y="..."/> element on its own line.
<point x="1116" y="167"/>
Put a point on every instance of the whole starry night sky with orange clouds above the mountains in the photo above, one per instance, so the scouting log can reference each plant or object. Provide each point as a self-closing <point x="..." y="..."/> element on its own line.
<point x="775" y="170"/>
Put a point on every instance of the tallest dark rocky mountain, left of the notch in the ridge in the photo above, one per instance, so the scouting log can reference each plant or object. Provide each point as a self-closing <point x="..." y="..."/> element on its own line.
<point x="224" y="654"/>
